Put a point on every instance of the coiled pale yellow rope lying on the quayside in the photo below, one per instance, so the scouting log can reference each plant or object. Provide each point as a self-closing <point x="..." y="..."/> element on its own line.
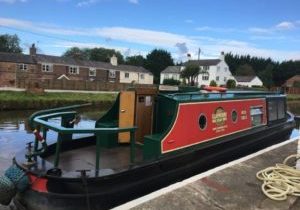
<point x="281" y="180"/>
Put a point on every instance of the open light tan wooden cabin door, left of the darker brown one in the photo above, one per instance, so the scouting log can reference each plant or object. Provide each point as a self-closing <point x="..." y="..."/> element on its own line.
<point x="126" y="114"/>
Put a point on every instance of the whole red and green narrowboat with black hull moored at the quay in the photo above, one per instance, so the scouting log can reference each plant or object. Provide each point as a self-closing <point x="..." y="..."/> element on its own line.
<point x="147" y="140"/>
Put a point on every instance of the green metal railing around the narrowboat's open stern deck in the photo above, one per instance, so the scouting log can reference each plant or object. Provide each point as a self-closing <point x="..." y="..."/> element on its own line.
<point x="65" y="131"/>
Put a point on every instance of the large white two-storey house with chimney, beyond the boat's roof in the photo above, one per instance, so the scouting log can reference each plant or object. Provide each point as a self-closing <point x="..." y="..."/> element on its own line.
<point x="210" y="69"/>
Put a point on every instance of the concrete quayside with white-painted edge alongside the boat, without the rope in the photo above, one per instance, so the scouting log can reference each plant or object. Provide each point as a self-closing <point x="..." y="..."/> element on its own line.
<point x="232" y="186"/>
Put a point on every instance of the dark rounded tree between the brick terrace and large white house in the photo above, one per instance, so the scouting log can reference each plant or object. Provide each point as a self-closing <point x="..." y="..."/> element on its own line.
<point x="157" y="60"/>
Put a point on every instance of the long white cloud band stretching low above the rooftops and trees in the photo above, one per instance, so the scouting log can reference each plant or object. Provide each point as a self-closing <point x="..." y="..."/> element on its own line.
<point x="143" y="39"/>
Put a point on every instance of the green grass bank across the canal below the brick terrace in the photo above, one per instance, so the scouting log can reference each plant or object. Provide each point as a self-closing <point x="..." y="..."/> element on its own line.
<point x="10" y="100"/>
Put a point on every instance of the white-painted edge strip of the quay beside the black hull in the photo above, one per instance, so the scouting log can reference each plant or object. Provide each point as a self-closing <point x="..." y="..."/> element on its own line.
<point x="153" y="195"/>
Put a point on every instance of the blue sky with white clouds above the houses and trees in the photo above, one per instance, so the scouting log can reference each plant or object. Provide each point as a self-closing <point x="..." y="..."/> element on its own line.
<point x="263" y="28"/>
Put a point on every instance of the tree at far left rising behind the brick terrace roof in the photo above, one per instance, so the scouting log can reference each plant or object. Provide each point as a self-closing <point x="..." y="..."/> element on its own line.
<point x="10" y="43"/>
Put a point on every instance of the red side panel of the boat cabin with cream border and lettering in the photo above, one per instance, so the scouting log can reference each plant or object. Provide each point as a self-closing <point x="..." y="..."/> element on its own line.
<point x="217" y="121"/>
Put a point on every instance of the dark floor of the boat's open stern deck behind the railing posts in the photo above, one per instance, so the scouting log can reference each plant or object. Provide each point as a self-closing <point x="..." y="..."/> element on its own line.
<point x="111" y="160"/>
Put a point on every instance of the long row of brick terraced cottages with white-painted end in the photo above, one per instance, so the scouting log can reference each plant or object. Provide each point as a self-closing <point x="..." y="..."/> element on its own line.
<point x="15" y="67"/>
